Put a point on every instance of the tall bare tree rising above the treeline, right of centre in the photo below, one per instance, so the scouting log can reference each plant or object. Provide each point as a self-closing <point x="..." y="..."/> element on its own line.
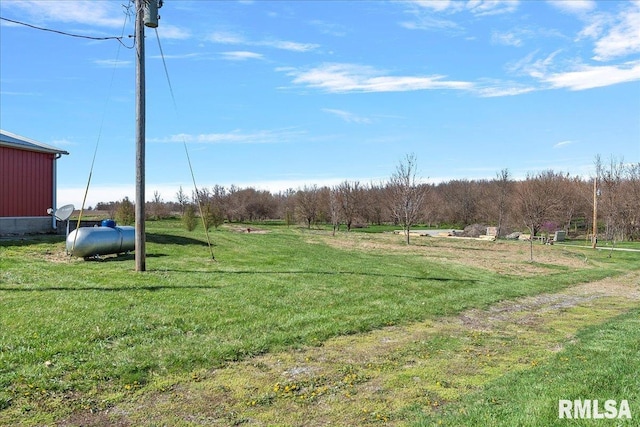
<point x="407" y="194"/>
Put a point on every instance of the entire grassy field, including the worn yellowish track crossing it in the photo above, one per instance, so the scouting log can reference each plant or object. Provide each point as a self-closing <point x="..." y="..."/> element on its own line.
<point x="295" y="327"/>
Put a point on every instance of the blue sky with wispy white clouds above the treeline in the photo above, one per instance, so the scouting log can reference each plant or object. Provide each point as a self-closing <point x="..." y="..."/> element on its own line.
<point x="282" y="94"/>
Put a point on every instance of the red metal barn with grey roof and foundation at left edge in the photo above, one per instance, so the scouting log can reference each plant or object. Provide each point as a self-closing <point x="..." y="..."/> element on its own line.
<point x="27" y="184"/>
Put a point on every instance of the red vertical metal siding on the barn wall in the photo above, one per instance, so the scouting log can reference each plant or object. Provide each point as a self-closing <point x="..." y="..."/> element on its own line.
<point x="26" y="186"/>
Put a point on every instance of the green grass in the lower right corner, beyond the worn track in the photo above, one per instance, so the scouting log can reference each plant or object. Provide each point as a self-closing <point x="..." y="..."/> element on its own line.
<point x="602" y="364"/>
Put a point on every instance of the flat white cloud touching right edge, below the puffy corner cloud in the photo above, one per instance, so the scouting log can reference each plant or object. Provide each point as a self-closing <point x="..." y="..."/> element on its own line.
<point x="589" y="77"/>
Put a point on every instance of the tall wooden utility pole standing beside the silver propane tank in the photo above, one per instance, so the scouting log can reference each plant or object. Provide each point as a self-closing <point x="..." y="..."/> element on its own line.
<point x="140" y="241"/>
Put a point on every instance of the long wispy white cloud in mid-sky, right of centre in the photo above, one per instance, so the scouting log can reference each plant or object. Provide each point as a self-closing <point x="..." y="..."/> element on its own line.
<point x="341" y="78"/>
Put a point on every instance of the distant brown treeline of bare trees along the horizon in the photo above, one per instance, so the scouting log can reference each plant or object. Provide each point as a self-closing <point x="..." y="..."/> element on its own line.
<point x="543" y="202"/>
